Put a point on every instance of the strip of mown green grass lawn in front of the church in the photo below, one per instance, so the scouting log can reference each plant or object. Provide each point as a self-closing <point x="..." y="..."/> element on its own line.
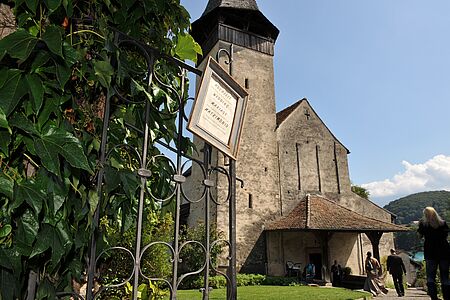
<point x="279" y="292"/>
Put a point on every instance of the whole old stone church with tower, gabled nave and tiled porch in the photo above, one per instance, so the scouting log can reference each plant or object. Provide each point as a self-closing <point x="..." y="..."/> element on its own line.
<point x="296" y="202"/>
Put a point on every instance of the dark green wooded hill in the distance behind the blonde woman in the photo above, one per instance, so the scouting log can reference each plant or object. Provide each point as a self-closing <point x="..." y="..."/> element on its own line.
<point x="409" y="208"/>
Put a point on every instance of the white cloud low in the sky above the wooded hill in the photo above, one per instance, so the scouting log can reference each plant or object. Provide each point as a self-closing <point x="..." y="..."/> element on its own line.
<point x="432" y="175"/>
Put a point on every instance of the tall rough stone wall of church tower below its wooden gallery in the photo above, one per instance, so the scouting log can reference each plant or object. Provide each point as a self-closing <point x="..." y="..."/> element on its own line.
<point x="257" y="161"/>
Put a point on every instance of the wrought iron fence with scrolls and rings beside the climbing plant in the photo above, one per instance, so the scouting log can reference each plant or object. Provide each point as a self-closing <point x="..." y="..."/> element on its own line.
<point x="175" y="167"/>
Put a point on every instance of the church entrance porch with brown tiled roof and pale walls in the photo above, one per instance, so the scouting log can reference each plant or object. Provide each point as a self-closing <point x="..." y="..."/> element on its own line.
<point x="320" y="231"/>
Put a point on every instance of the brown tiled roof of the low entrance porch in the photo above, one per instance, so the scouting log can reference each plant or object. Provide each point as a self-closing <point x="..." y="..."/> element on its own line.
<point x="315" y="212"/>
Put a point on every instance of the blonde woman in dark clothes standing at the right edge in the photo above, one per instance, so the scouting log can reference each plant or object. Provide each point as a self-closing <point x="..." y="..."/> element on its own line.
<point x="436" y="251"/>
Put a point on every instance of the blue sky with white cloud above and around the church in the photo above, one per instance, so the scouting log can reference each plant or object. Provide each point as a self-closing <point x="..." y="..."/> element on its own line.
<point x="378" y="74"/>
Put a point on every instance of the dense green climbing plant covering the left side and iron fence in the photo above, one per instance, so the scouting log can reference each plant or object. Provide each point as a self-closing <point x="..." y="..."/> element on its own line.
<point x="56" y="73"/>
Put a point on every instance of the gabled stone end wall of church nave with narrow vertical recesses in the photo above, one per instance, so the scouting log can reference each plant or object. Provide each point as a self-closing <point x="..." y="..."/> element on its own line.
<point x="311" y="159"/>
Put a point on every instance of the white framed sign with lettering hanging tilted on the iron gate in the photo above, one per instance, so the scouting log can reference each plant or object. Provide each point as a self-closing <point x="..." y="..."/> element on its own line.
<point x="218" y="111"/>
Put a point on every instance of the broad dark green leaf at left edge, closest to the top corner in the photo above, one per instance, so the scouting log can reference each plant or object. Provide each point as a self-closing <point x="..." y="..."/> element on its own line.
<point x="18" y="44"/>
